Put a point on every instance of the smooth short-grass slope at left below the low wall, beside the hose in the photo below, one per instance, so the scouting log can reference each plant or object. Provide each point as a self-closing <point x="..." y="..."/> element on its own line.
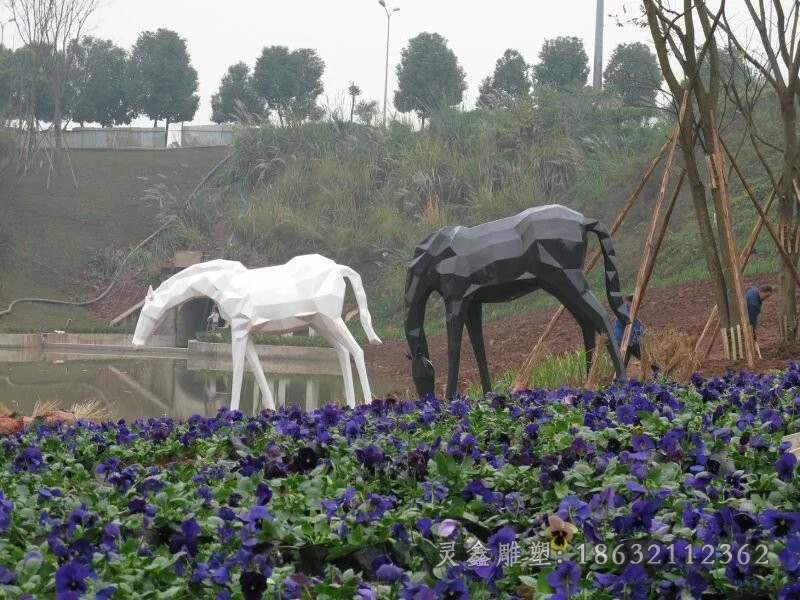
<point x="57" y="231"/>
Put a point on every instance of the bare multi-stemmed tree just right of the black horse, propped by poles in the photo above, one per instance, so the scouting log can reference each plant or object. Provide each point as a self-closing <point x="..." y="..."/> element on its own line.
<point x="684" y="39"/>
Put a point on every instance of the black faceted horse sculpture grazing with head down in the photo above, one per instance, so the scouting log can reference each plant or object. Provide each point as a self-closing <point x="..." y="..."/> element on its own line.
<point x="540" y="248"/>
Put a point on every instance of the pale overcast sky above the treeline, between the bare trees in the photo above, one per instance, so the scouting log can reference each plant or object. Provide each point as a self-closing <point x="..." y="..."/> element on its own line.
<point x="350" y="35"/>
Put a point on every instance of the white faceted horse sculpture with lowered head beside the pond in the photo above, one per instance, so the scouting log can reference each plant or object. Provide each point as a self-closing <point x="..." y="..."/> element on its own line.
<point x="307" y="291"/>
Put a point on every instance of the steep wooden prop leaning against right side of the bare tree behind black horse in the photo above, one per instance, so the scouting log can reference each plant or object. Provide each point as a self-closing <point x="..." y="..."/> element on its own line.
<point x="727" y="223"/>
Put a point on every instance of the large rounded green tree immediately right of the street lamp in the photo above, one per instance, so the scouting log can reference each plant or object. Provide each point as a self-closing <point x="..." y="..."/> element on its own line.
<point x="428" y="76"/>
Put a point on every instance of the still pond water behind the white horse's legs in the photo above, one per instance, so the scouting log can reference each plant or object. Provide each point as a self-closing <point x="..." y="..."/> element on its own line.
<point x="132" y="388"/>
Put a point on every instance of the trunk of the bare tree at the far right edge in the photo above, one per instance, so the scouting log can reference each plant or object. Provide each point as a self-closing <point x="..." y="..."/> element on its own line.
<point x="786" y="212"/>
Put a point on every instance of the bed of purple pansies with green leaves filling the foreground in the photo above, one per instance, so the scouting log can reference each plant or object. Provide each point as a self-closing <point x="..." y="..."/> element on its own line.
<point x="639" y="490"/>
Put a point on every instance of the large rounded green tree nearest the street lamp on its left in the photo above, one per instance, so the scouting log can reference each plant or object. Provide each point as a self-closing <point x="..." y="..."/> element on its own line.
<point x="289" y="82"/>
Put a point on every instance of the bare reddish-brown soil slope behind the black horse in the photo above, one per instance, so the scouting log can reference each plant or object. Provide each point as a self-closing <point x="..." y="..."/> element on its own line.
<point x="683" y="307"/>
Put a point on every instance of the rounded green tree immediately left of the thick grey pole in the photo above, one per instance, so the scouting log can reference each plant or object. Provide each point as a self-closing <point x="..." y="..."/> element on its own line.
<point x="563" y="64"/>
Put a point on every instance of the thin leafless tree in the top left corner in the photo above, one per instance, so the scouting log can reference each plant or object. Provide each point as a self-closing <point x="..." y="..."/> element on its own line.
<point x="49" y="28"/>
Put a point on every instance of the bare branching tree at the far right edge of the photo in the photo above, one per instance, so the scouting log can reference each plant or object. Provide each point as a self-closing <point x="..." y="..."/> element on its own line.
<point x="777" y="61"/>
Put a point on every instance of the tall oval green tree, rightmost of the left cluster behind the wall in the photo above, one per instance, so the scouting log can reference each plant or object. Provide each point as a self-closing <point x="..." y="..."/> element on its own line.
<point x="163" y="79"/>
